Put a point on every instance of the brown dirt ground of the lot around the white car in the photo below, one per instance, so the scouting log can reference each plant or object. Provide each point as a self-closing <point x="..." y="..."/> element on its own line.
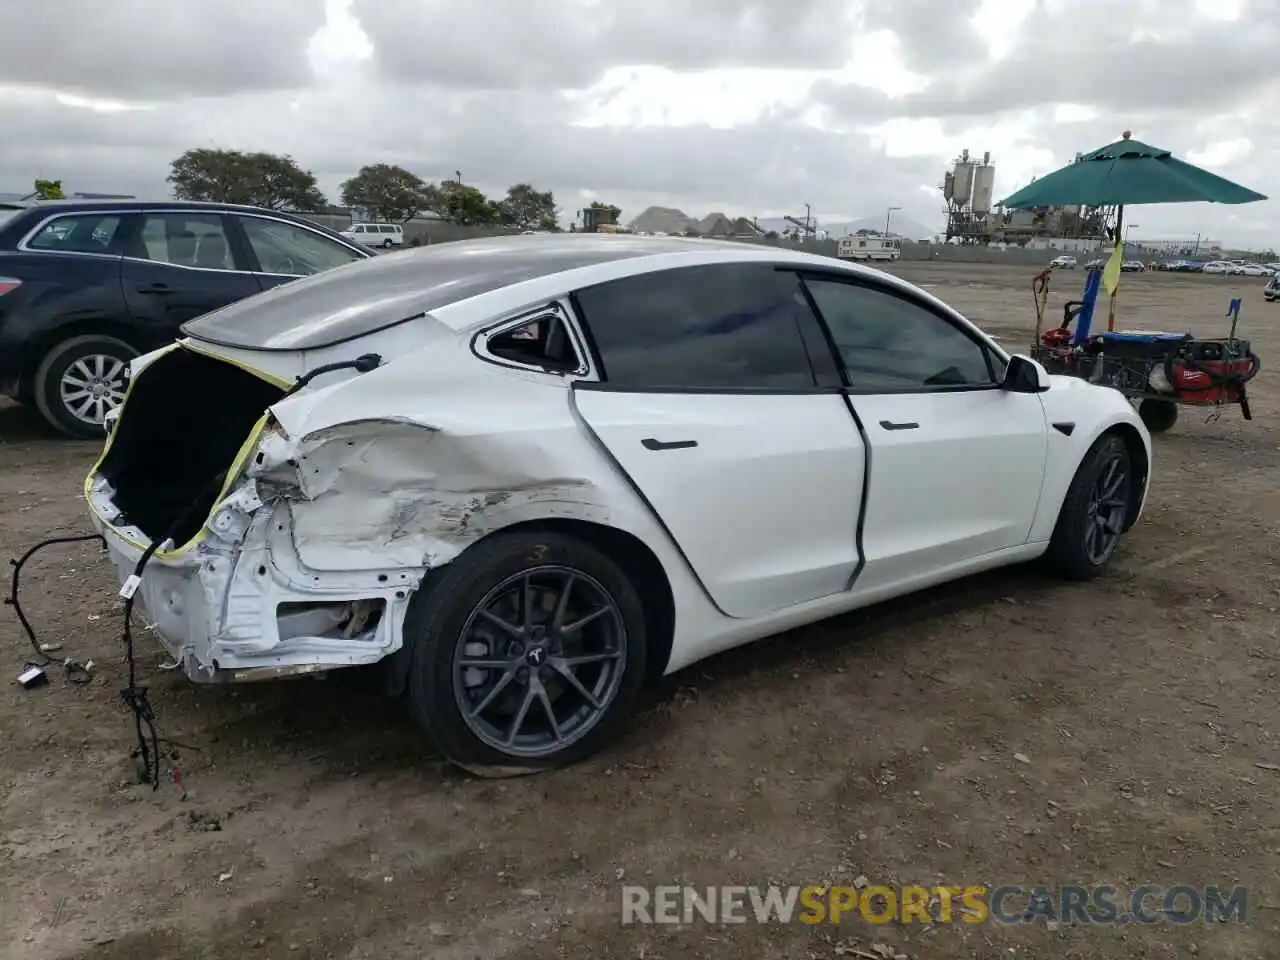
<point x="1004" y="730"/>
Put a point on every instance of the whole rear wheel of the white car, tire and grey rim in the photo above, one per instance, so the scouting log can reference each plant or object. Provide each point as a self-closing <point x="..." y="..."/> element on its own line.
<point x="528" y="653"/>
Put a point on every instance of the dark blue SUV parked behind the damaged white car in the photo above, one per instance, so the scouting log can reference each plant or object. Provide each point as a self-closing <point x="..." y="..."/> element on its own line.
<point x="88" y="286"/>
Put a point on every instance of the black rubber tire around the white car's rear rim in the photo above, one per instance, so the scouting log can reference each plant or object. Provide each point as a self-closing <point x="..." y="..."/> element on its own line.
<point x="447" y="606"/>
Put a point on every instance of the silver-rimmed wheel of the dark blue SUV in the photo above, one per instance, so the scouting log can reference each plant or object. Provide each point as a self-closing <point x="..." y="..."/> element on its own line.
<point x="80" y="381"/>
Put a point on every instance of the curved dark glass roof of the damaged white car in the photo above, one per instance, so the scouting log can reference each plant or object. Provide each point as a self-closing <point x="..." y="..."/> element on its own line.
<point x="359" y="299"/>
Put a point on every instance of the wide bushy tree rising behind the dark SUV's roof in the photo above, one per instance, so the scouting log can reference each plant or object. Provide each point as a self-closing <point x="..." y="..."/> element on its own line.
<point x="240" y="177"/>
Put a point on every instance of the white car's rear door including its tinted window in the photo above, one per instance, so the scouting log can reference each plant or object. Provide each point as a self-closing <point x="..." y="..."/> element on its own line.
<point x="708" y="401"/>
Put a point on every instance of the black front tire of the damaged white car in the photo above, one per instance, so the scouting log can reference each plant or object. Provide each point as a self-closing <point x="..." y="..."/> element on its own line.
<point x="1069" y="551"/>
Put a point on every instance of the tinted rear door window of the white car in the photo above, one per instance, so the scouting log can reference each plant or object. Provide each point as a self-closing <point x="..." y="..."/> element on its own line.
<point x="733" y="326"/>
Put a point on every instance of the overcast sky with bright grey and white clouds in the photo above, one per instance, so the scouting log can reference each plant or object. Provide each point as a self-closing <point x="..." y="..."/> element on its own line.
<point x="749" y="107"/>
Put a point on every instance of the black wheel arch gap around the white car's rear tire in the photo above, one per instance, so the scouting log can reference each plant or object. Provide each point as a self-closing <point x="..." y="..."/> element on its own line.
<point x="637" y="560"/>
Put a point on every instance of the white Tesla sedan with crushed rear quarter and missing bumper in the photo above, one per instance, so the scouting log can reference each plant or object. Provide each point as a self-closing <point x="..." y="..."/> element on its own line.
<point x="534" y="473"/>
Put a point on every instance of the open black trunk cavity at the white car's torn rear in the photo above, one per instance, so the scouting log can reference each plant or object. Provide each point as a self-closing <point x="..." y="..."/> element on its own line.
<point x="186" y="419"/>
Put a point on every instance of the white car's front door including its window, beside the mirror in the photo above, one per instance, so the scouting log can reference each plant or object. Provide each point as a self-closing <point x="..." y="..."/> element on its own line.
<point x="957" y="463"/>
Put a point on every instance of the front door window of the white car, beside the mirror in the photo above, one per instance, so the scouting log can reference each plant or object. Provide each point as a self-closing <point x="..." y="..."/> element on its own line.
<point x="892" y="344"/>
